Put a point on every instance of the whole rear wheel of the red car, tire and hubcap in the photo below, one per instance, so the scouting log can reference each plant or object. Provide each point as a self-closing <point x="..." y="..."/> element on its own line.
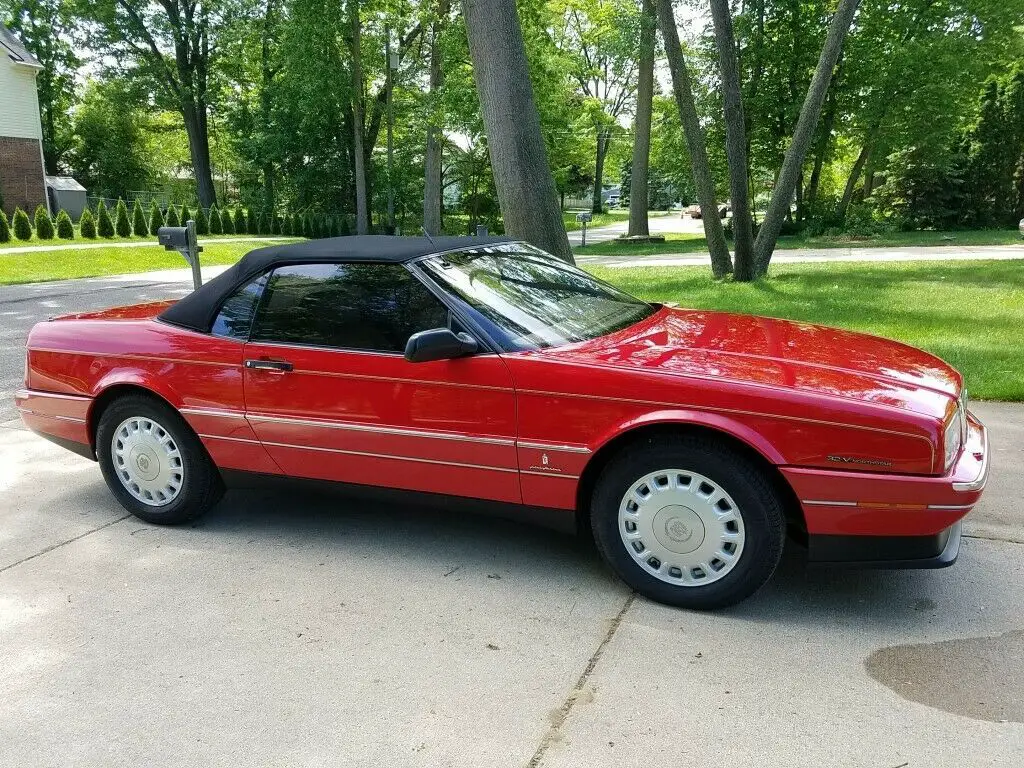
<point x="154" y="463"/>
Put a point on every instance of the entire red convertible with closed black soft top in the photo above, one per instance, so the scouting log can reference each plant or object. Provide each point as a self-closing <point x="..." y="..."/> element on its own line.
<point x="689" y="443"/>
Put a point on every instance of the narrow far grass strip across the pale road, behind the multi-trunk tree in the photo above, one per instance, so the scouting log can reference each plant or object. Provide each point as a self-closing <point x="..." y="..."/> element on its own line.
<point x="695" y="242"/>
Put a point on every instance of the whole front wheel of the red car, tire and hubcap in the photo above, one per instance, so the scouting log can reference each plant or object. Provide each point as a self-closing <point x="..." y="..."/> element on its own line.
<point x="689" y="523"/>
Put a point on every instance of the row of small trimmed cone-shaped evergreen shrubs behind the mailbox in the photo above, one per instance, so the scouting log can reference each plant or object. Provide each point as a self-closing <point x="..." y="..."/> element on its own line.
<point x="142" y="225"/>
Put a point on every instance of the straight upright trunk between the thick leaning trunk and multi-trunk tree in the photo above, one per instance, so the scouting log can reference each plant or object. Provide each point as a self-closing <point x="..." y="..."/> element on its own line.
<point x="639" y="175"/>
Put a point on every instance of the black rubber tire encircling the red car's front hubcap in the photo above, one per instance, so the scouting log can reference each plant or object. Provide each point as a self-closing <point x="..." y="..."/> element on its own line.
<point x="759" y="505"/>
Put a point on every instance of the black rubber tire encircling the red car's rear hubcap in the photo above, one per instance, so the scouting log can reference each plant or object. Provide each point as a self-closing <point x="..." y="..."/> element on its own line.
<point x="201" y="483"/>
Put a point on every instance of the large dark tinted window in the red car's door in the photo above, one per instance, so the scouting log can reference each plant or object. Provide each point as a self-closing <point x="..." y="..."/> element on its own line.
<point x="374" y="308"/>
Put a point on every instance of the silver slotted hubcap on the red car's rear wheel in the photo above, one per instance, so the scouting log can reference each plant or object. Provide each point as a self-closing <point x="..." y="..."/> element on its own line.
<point x="148" y="461"/>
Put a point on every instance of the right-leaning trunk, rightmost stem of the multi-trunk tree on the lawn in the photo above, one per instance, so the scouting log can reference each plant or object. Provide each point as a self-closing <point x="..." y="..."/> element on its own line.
<point x="809" y="113"/>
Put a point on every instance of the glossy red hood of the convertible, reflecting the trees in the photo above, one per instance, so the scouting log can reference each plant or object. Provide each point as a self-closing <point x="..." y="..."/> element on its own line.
<point x="775" y="353"/>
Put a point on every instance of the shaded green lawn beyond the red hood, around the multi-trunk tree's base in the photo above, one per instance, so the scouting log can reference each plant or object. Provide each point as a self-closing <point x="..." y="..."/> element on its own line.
<point x="969" y="314"/>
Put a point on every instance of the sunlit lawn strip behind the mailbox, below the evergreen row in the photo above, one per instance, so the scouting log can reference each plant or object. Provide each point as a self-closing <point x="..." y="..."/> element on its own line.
<point x="48" y="266"/>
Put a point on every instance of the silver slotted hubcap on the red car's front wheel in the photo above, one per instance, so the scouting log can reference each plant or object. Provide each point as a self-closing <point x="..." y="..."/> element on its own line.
<point x="681" y="528"/>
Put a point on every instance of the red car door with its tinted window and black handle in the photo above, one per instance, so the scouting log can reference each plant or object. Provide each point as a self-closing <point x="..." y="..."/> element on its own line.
<point x="331" y="396"/>
